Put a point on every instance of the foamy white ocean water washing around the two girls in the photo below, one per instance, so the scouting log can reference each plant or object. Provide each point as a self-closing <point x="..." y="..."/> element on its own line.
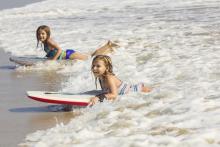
<point x="172" y="45"/>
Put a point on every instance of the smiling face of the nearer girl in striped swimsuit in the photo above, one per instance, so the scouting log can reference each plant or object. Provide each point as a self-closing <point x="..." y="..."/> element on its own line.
<point x="98" y="68"/>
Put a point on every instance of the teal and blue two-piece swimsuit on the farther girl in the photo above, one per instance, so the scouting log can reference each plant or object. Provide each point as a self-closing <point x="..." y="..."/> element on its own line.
<point x="51" y="53"/>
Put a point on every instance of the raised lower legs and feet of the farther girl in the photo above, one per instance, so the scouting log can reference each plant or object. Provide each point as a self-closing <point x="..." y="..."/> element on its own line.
<point x="107" y="48"/>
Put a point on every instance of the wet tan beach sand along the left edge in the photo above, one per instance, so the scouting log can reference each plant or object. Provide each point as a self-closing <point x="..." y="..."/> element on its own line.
<point x="19" y="114"/>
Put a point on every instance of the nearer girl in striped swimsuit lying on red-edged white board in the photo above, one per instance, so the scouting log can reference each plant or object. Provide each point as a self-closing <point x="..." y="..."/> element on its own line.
<point x="111" y="86"/>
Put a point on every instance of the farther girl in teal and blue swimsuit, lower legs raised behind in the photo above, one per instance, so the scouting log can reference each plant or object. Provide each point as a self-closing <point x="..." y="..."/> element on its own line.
<point x="54" y="51"/>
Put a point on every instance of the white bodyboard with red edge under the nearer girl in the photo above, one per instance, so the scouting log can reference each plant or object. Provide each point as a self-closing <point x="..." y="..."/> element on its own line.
<point x="78" y="99"/>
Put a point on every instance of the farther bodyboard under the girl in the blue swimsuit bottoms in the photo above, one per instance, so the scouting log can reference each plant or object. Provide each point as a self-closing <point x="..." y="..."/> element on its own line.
<point x="27" y="61"/>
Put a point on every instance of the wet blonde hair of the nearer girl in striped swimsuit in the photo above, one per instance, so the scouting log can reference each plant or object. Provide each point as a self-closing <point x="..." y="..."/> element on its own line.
<point x="108" y="64"/>
